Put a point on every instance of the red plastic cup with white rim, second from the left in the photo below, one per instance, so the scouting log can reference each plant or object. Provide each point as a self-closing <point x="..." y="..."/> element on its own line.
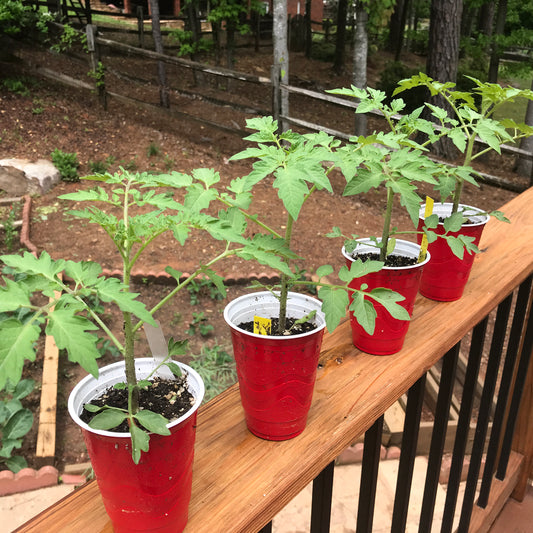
<point x="276" y="374"/>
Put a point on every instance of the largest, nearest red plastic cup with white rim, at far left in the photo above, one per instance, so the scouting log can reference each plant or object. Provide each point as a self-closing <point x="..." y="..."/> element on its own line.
<point x="153" y="495"/>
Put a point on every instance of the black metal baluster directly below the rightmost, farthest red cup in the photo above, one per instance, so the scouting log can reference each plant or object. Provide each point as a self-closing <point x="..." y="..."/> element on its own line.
<point x="438" y="437"/>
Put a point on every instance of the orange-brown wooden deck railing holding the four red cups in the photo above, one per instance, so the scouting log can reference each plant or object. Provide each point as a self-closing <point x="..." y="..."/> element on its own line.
<point x="241" y="482"/>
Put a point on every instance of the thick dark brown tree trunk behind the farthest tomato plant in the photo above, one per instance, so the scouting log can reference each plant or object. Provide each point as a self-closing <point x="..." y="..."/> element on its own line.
<point x="443" y="53"/>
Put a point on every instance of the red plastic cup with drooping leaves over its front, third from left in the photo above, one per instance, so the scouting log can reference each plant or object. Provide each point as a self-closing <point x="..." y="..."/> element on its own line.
<point x="389" y="333"/>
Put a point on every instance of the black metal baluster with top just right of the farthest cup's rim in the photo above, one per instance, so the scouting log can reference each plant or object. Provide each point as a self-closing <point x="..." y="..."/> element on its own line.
<point x="463" y="424"/>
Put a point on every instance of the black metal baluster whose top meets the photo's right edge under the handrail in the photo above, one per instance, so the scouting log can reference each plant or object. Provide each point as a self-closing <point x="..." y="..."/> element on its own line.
<point x="513" y="346"/>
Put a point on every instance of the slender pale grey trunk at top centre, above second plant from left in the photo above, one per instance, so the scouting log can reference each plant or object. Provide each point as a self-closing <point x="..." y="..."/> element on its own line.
<point x="281" y="58"/>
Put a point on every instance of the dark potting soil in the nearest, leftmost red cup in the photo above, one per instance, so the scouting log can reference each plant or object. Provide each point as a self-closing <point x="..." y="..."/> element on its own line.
<point x="168" y="397"/>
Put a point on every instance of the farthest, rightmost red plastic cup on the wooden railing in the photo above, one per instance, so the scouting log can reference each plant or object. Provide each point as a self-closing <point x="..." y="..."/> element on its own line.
<point x="445" y="276"/>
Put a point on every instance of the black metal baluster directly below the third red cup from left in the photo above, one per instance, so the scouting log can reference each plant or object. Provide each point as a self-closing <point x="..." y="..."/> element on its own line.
<point x="369" y="477"/>
